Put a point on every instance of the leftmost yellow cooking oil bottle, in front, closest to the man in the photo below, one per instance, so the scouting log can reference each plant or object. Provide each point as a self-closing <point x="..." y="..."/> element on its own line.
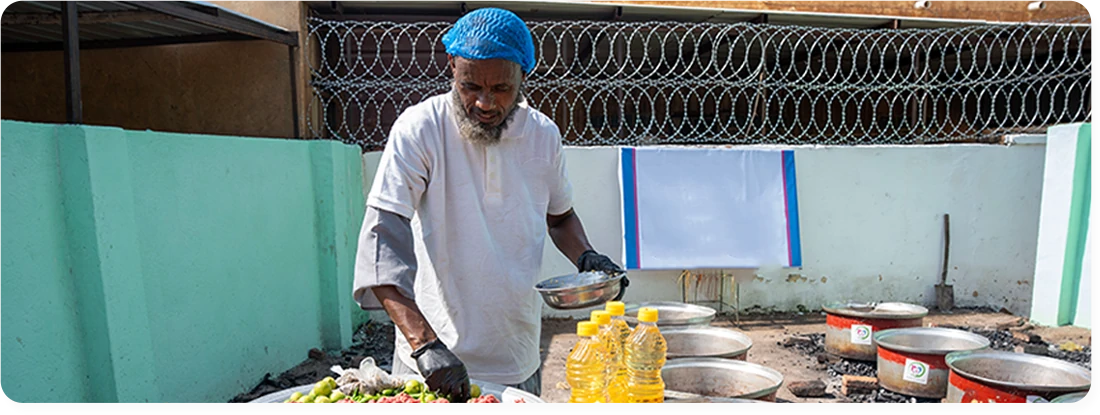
<point x="586" y="369"/>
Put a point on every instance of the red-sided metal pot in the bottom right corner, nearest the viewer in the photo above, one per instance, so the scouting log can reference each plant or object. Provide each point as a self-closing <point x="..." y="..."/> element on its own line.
<point x="1004" y="377"/>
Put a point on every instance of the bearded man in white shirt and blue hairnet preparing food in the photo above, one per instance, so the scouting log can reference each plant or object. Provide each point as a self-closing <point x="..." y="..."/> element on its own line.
<point x="469" y="185"/>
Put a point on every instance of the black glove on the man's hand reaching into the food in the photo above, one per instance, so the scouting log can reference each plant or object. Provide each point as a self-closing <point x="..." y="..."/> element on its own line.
<point x="443" y="372"/>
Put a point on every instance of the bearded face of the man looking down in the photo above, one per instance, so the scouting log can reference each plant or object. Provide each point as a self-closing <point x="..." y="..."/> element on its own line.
<point x="489" y="93"/>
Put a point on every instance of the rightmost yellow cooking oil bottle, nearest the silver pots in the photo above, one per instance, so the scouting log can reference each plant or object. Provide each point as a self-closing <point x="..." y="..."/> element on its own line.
<point x="645" y="357"/>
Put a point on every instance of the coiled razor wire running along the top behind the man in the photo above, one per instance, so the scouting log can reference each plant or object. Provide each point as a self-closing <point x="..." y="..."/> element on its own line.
<point x="677" y="83"/>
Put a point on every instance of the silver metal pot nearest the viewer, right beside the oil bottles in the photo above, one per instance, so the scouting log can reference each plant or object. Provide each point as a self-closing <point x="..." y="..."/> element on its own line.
<point x="722" y="378"/>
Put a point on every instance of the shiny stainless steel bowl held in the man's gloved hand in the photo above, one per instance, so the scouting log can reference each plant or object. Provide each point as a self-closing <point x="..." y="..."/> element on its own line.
<point x="581" y="290"/>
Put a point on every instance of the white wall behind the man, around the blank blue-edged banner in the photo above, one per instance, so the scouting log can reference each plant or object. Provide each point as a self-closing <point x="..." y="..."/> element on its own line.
<point x="872" y="223"/>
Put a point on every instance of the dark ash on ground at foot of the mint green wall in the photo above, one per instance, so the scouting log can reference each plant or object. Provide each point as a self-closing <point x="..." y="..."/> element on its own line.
<point x="375" y="340"/>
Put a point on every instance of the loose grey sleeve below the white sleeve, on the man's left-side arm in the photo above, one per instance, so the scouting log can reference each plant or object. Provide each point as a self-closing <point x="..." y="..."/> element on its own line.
<point x="386" y="257"/>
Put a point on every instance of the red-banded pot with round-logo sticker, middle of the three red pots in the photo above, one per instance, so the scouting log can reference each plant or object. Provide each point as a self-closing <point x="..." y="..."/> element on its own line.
<point x="911" y="361"/>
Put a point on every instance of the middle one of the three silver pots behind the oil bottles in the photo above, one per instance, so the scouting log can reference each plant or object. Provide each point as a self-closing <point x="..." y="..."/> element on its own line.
<point x="707" y="343"/>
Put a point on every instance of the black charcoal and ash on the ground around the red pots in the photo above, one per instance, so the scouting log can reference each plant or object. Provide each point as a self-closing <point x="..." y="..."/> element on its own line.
<point x="813" y="346"/>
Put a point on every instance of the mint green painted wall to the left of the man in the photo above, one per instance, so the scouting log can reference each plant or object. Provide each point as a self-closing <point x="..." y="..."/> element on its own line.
<point x="146" y="267"/>
